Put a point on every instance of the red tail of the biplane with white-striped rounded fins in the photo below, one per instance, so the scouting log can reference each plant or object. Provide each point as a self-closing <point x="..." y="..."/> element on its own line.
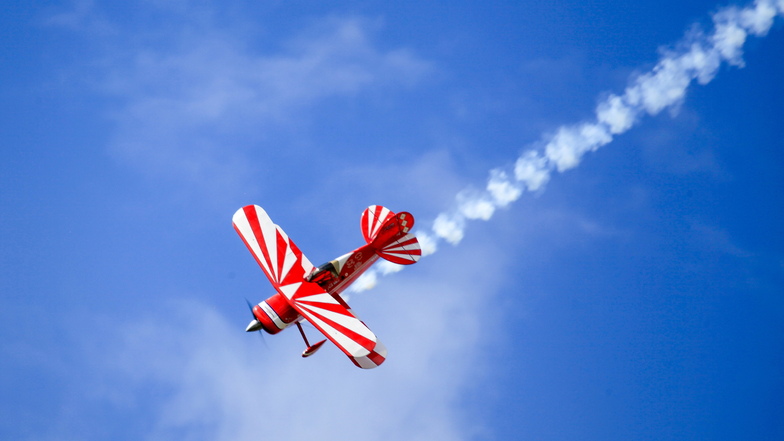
<point x="388" y="233"/>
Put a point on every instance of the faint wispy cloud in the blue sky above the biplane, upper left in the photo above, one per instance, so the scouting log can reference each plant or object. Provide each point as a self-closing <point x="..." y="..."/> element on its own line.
<point x="193" y="101"/>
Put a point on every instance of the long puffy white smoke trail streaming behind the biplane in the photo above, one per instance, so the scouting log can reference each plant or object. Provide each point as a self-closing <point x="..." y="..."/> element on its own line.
<point x="697" y="56"/>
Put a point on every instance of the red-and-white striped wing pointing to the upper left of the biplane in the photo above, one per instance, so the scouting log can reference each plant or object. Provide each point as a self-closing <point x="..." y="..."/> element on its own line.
<point x="276" y="254"/>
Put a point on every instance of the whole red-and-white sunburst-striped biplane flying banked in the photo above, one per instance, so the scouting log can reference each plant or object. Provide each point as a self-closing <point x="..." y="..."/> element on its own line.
<point x="313" y="293"/>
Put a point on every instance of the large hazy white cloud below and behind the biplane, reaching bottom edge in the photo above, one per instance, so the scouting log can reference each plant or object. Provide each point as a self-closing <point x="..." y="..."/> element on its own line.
<point x="217" y="382"/>
